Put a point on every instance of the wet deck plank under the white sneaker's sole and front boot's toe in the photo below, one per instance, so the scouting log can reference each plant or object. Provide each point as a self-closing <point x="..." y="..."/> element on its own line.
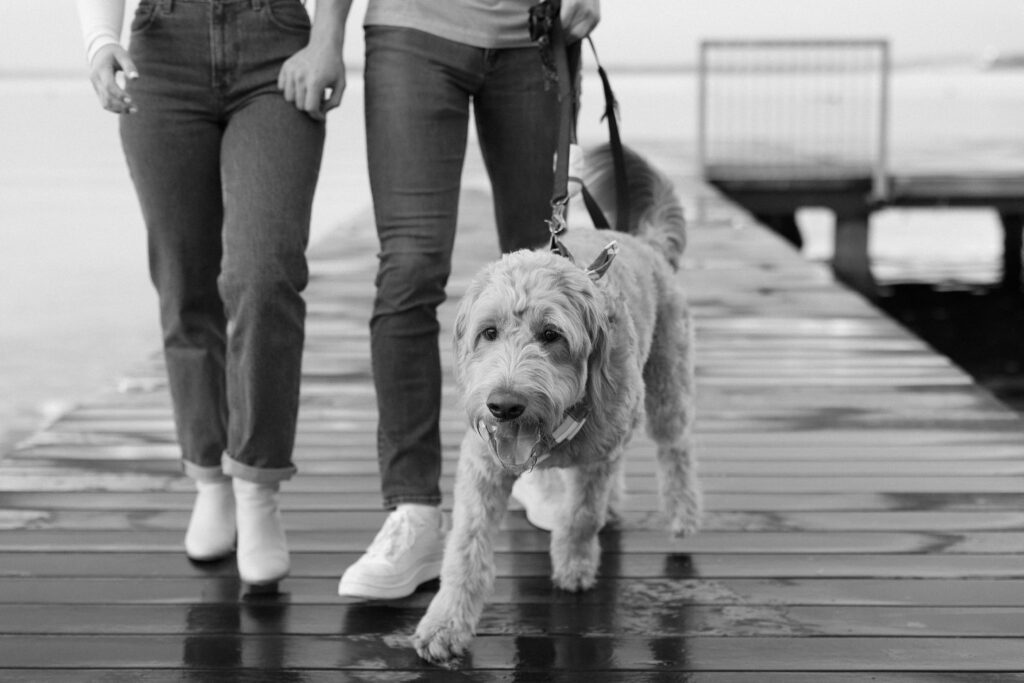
<point x="631" y="591"/>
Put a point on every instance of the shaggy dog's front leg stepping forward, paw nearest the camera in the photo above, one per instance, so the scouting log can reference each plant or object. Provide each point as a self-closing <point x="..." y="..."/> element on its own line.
<point x="482" y="494"/>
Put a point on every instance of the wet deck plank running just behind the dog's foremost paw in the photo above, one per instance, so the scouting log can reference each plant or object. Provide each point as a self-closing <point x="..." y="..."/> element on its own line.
<point x="286" y="619"/>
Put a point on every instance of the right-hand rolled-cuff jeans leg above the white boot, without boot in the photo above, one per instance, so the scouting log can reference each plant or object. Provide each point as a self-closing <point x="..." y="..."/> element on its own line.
<point x="271" y="161"/>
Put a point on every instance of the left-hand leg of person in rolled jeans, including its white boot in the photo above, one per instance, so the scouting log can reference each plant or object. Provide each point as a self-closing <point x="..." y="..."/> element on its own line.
<point x="173" y="146"/>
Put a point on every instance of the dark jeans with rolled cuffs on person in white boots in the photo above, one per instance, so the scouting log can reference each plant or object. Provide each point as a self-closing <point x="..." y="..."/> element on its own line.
<point x="225" y="170"/>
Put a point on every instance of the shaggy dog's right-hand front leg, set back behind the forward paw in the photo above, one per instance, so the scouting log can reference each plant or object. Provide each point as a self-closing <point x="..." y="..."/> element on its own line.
<point x="576" y="552"/>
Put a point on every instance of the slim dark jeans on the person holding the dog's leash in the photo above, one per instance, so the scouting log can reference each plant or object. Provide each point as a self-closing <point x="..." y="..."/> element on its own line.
<point x="418" y="94"/>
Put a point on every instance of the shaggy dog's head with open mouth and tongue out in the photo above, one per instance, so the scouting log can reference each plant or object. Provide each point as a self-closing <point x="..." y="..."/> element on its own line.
<point x="530" y="337"/>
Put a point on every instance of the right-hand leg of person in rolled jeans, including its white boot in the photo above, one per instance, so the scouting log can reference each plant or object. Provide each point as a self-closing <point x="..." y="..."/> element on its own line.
<point x="271" y="158"/>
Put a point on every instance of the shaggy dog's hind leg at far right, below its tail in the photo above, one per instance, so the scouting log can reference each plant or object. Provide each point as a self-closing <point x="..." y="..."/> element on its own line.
<point x="669" y="387"/>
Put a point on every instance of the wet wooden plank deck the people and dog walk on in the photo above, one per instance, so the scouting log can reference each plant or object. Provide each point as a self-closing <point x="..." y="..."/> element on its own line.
<point x="866" y="513"/>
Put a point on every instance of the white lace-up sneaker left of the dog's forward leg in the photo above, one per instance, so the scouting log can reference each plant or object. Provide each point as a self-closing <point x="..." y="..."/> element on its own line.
<point x="406" y="553"/>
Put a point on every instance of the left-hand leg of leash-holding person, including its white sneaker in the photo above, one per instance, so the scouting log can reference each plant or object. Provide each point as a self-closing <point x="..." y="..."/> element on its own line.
<point x="417" y="98"/>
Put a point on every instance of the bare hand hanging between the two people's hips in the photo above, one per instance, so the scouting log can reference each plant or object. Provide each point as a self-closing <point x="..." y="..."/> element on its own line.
<point x="314" y="79"/>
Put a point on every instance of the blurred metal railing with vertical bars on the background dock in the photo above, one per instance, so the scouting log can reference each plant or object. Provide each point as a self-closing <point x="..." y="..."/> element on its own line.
<point x="800" y="111"/>
